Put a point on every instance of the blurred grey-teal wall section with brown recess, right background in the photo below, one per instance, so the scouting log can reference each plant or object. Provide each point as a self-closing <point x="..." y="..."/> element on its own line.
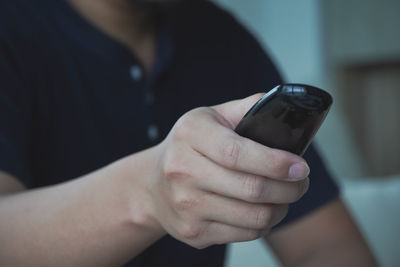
<point x="362" y="52"/>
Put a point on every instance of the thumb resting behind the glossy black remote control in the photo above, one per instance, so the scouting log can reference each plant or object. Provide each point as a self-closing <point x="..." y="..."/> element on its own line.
<point x="233" y="111"/>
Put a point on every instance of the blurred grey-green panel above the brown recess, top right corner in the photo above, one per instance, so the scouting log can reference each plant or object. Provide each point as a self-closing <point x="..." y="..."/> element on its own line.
<point x="360" y="31"/>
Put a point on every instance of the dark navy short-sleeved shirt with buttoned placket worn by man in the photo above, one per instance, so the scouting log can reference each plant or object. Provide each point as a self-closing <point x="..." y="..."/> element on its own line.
<point x="72" y="99"/>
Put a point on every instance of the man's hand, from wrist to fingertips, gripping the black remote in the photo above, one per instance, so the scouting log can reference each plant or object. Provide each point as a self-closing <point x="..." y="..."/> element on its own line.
<point x="214" y="186"/>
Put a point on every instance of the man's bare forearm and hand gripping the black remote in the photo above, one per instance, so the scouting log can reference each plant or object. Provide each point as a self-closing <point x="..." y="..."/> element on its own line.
<point x="203" y="184"/>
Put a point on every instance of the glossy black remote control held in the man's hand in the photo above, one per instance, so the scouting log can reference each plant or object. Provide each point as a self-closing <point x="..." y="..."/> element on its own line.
<point x="287" y="117"/>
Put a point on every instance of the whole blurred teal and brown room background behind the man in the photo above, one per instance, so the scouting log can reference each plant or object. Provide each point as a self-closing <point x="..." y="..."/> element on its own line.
<point x="351" y="48"/>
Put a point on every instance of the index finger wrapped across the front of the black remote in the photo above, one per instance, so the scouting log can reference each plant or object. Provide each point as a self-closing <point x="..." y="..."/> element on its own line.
<point x="228" y="149"/>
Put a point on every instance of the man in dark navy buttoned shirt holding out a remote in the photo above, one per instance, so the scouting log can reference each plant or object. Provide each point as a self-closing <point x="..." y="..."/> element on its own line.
<point x="105" y="157"/>
